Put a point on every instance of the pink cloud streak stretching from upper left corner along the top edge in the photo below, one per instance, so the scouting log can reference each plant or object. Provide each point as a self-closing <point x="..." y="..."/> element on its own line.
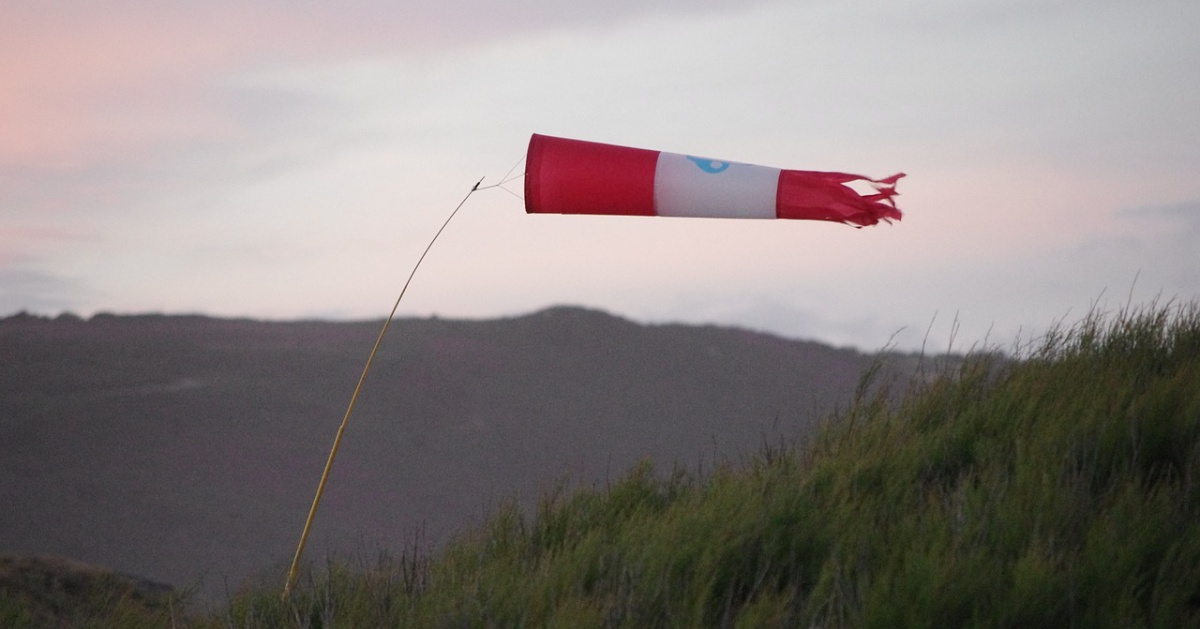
<point x="86" y="82"/>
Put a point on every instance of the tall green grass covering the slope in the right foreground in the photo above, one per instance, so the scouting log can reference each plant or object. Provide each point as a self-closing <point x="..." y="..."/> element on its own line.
<point x="1060" y="488"/>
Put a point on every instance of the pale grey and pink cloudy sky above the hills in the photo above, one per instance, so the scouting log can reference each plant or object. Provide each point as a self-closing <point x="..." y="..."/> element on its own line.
<point x="289" y="160"/>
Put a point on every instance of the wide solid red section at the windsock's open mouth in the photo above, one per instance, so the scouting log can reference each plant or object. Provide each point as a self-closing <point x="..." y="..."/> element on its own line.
<point x="577" y="177"/>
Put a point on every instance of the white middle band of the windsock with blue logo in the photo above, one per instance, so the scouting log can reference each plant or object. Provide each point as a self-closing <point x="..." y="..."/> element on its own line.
<point x="699" y="187"/>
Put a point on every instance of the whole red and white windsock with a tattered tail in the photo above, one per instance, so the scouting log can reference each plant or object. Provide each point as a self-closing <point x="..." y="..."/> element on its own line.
<point x="575" y="177"/>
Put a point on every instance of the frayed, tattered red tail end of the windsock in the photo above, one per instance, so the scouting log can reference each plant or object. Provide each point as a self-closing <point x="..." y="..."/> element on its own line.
<point x="825" y="197"/>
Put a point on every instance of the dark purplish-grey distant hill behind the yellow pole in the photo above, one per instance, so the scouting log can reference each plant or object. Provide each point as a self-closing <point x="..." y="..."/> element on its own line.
<point x="187" y="450"/>
